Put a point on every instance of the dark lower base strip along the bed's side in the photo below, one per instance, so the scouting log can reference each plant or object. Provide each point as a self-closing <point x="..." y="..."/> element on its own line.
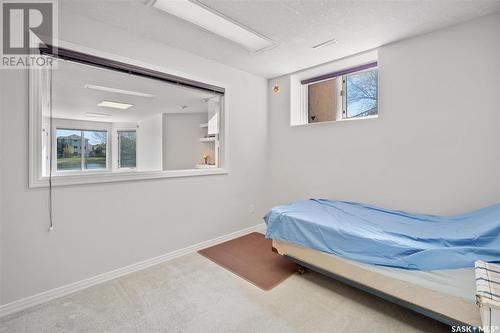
<point x="426" y="312"/>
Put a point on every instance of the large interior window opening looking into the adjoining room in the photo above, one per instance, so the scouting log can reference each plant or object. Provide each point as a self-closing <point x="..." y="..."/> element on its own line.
<point x="100" y="120"/>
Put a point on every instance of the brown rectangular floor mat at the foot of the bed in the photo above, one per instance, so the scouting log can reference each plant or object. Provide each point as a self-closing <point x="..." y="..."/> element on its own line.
<point x="251" y="258"/>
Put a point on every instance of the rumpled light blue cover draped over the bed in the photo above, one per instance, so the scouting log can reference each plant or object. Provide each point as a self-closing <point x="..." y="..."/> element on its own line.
<point x="384" y="237"/>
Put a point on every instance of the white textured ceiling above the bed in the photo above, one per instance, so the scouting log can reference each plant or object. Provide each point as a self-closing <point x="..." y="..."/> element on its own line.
<point x="295" y="25"/>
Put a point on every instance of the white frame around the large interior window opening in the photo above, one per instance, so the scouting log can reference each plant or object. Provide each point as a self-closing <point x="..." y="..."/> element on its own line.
<point x="39" y="102"/>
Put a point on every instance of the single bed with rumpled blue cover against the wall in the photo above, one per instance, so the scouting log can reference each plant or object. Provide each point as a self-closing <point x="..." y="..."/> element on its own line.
<point x="380" y="251"/>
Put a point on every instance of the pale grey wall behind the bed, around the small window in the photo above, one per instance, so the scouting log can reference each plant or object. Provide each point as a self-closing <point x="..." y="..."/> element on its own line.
<point x="435" y="147"/>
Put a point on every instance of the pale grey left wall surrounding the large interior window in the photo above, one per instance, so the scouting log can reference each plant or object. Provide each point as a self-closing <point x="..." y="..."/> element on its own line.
<point x="118" y="224"/>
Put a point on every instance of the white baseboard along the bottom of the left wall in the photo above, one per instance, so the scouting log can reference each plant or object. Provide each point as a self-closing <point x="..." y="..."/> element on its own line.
<point x="49" y="295"/>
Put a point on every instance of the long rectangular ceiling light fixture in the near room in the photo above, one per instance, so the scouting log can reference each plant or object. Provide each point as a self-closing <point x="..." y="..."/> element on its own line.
<point x="199" y="14"/>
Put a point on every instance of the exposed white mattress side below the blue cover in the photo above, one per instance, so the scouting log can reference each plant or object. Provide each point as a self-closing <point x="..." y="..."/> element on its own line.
<point x="457" y="282"/>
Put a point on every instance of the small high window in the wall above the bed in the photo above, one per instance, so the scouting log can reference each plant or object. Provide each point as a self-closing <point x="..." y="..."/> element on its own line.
<point x="346" y="94"/>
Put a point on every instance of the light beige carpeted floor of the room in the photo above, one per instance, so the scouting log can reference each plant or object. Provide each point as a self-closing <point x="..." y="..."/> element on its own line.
<point x="193" y="294"/>
